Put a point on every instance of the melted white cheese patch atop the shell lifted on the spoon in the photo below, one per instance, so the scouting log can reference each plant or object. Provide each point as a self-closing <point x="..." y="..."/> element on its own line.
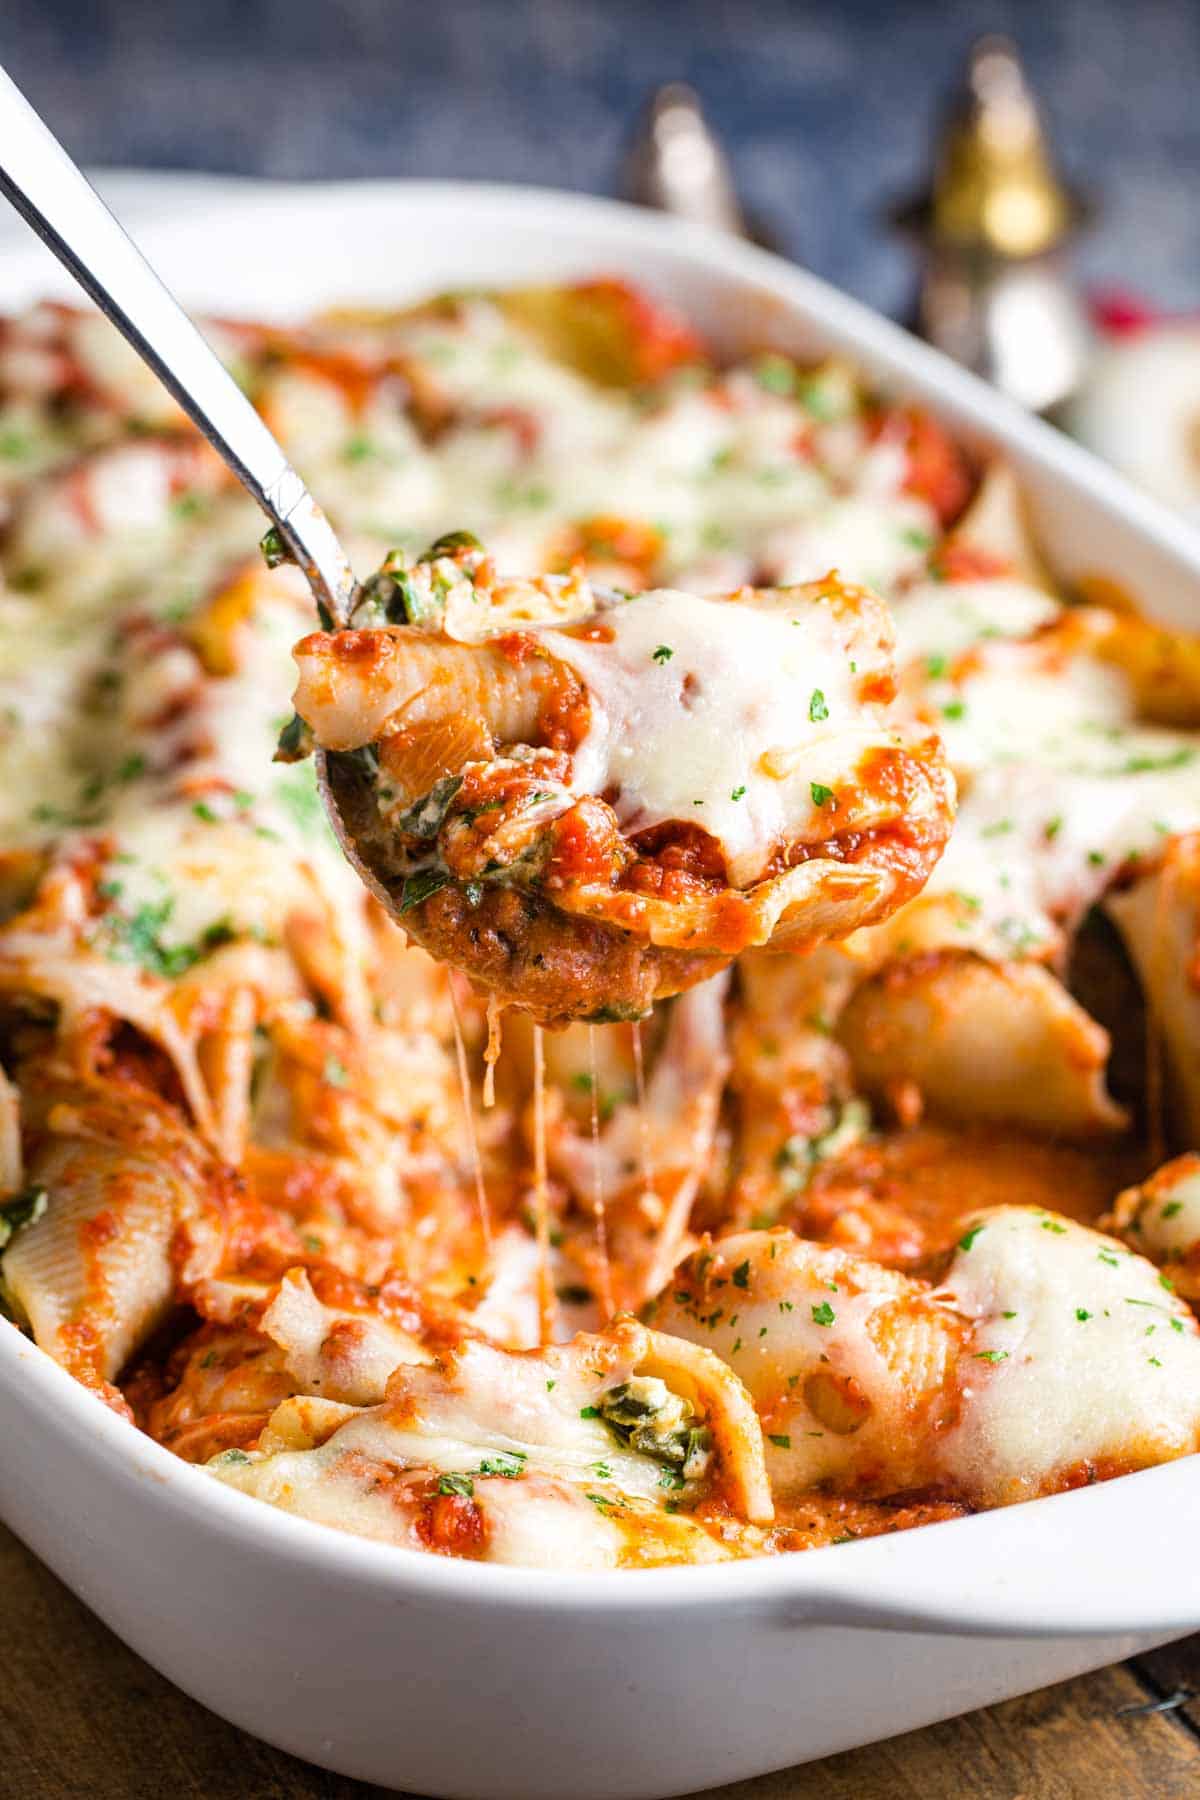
<point x="704" y="712"/>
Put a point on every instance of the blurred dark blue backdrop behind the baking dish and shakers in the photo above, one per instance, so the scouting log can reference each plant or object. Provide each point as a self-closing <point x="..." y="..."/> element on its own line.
<point x="828" y="107"/>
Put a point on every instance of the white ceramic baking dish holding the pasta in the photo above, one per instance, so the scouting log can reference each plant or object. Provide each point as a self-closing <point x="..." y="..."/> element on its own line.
<point x="452" y="1678"/>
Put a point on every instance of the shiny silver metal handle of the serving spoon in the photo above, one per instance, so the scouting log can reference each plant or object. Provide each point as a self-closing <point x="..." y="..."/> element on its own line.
<point x="66" y="211"/>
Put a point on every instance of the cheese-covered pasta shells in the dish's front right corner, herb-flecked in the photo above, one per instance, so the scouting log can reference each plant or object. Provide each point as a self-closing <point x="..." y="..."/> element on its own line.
<point x="1048" y="1354"/>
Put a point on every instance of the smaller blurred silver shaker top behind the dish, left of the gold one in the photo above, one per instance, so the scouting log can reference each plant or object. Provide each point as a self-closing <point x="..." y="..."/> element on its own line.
<point x="677" y="165"/>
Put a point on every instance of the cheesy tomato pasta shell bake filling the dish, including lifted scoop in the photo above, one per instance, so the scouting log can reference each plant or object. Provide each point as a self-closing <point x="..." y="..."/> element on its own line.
<point x="735" y="1156"/>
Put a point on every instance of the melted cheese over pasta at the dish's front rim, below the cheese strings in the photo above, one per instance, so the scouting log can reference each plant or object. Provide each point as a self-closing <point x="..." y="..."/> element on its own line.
<point x="519" y="1437"/>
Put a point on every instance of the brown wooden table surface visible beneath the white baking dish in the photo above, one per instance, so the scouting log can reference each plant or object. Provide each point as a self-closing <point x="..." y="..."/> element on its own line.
<point x="82" y="1716"/>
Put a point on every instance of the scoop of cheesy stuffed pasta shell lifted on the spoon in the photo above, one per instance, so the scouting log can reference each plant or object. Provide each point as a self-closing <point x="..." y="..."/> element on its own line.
<point x="591" y="800"/>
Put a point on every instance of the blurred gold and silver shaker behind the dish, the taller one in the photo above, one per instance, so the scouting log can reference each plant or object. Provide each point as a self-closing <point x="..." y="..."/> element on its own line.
<point x="996" y="229"/>
